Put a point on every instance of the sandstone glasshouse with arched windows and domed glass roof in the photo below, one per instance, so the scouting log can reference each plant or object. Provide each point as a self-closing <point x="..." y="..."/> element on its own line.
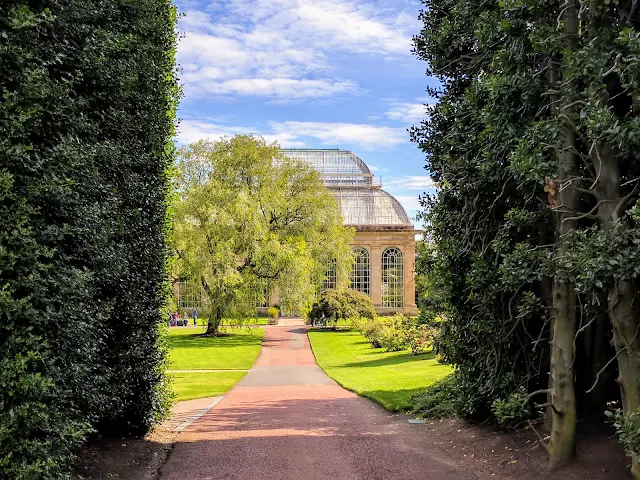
<point x="384" y="244"/>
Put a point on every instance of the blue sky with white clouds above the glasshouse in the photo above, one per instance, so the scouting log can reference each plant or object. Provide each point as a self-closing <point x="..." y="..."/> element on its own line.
<point x="309" y="73"/>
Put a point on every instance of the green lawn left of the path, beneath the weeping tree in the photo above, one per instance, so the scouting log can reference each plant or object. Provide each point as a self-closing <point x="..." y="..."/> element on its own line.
<point x="189" y="350"/>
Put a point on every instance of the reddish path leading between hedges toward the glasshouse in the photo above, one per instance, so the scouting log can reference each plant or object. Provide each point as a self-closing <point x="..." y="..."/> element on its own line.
<point x="287" y="420"/>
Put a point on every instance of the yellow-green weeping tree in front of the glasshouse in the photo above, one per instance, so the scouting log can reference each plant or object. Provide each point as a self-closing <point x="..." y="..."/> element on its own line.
<point x="247" y="215"/>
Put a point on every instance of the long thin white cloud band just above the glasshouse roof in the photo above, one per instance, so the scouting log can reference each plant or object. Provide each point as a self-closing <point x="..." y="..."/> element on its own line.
<point x="298" y="134"/>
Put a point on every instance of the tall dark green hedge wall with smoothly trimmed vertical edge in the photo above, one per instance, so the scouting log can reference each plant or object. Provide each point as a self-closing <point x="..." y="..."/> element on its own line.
<point x="87" y="102"/>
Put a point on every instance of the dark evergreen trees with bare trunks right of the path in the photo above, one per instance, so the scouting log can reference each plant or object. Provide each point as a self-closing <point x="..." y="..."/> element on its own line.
<point x="534" y="146"/>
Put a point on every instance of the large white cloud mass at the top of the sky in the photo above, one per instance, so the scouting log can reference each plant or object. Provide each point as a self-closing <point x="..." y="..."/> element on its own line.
<point x="280" y="49"/>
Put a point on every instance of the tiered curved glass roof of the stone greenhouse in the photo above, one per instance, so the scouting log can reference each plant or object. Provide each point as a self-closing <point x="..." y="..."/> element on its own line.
<point x="363" y="204"/>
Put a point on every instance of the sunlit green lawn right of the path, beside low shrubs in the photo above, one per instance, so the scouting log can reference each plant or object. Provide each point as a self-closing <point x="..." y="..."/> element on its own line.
<point x="389" y="378"/>
